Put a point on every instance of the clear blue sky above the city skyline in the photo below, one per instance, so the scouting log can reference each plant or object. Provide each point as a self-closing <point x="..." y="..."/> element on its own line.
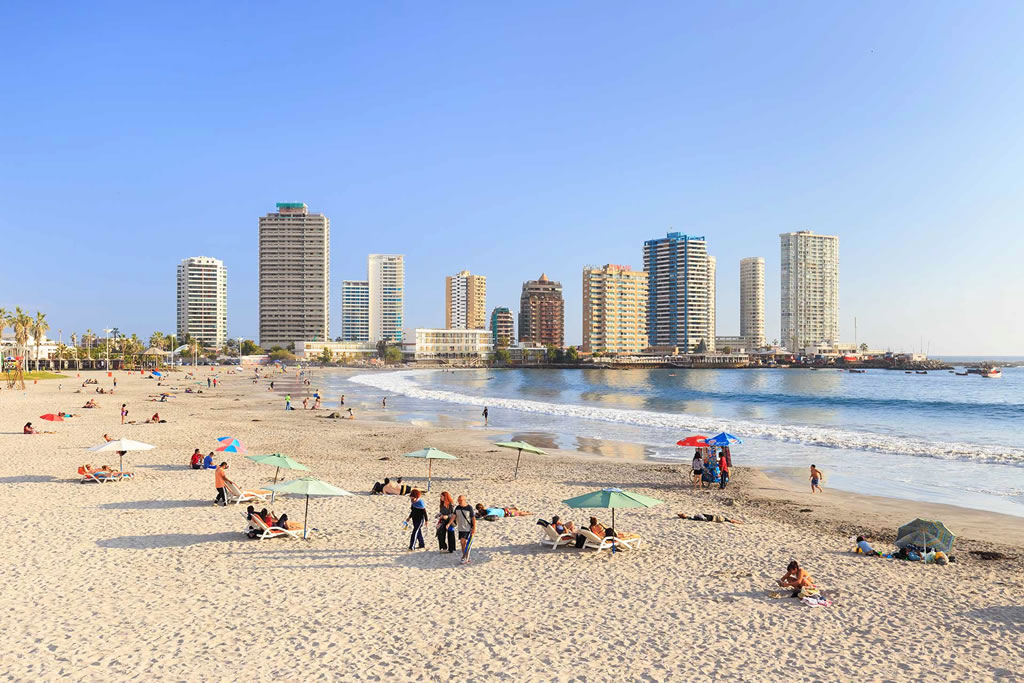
<point x="516" y="139"/>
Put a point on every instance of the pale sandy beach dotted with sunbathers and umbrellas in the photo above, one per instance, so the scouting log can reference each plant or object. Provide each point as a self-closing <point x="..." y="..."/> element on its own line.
<point x="147" y="580"/>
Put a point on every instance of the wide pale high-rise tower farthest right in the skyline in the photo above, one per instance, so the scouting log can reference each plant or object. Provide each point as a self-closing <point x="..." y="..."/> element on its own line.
<point x="810" y="289"/>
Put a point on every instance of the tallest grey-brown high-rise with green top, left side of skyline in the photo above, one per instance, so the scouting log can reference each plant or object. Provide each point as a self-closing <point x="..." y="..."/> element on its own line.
<point x="294" y="276"/>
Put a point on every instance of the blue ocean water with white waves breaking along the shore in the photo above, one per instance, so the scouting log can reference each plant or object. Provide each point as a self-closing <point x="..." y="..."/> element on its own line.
<point x="937" y="438"/>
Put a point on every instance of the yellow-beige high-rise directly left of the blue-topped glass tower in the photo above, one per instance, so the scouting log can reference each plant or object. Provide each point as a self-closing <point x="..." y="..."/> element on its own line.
<point x="615" y="310"/>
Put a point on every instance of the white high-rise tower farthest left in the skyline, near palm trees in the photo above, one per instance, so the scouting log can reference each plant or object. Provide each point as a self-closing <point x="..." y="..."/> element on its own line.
<point x="203" y="301"/>
